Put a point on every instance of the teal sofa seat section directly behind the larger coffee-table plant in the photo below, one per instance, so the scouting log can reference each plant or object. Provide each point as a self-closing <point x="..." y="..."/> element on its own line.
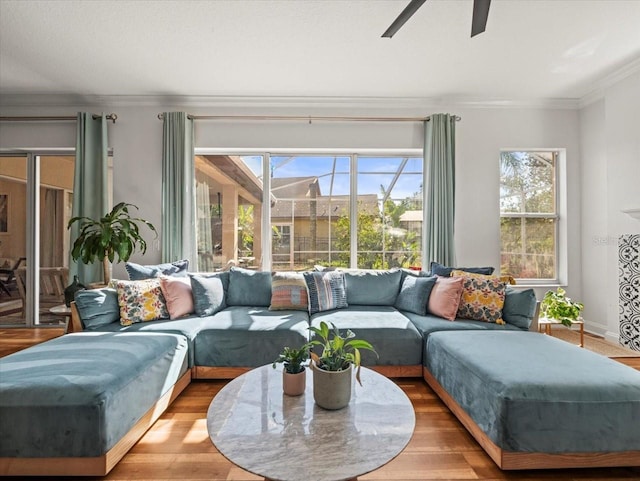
<point x="393" y="336"/>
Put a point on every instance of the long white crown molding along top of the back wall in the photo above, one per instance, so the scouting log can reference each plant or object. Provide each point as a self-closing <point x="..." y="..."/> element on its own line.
<point x="419" y="104"/>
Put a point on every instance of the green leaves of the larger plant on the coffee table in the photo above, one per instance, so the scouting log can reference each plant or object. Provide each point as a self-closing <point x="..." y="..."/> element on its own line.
<point x="338" y="351"/>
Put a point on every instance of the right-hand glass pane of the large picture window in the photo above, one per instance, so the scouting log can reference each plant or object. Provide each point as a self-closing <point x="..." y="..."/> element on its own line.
<point x="389" y="212"/>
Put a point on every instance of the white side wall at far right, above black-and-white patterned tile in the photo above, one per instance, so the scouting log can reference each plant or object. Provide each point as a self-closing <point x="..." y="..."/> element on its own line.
<point x="610" y="142"/>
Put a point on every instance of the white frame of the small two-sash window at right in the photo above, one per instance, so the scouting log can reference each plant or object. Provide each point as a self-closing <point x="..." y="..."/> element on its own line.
<point x="559" y="215"/>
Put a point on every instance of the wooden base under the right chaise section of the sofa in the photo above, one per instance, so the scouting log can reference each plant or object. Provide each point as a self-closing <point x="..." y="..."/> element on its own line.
<point x="509" y="460"/>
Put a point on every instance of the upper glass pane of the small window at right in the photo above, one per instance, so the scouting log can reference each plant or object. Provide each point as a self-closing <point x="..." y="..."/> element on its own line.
<point x="527" y="182"/>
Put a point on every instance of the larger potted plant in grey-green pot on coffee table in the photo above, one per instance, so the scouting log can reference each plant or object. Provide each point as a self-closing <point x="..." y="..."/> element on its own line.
<point x="333" y="367"/>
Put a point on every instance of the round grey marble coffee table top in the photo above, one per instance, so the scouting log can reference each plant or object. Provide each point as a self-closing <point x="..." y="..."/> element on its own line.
<point x="255" y="426"/>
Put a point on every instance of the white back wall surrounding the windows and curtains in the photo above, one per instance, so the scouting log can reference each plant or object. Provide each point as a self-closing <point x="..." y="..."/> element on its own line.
<point x="136" y="140"/>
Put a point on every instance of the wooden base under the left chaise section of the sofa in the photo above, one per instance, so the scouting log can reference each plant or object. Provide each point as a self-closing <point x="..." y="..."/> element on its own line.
<point x="99" y="465"/>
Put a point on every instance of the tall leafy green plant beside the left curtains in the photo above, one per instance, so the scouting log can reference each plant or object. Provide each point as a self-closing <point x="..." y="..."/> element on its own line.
<point x="115" y="234"/>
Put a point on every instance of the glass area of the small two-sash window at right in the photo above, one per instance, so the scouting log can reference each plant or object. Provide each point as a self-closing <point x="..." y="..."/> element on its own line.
<point x="529" y="215"/>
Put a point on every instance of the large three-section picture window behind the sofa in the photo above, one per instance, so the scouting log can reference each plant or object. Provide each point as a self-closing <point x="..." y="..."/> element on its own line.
<point x="311" y="204"/>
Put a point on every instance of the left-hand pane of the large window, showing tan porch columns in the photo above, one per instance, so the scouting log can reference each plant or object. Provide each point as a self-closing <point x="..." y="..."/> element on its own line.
<point x="229" y="210"/>
